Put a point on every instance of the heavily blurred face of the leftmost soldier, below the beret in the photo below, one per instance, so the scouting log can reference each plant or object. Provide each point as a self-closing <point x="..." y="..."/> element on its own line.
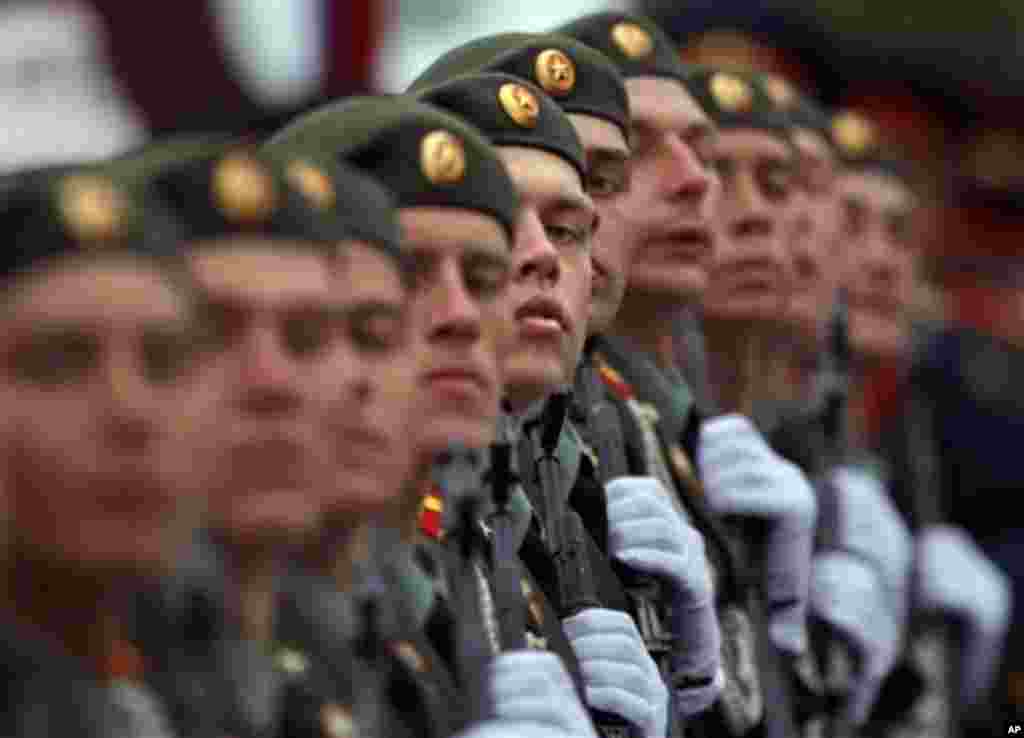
<point x="103" y="397"/>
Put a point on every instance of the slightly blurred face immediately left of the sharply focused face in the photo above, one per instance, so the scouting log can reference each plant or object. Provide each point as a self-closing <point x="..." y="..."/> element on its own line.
<point x="461" y="266"/>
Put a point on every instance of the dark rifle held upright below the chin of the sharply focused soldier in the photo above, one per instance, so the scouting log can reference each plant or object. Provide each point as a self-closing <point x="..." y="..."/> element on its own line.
<point x="567" y="538"/>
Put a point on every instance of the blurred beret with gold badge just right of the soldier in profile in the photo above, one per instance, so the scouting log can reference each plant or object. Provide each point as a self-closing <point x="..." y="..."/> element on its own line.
<point x="736" y="100"/>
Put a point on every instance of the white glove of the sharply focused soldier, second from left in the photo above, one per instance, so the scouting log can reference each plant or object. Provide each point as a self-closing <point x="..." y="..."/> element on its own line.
<point x="620" y="676"/>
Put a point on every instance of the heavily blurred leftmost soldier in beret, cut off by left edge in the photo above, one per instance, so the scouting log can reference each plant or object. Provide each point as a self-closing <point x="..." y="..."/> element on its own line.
<point x="103" y="389"/>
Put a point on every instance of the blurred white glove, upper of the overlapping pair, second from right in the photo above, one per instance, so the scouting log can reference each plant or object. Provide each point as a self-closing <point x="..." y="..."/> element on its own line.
<point x="869" y="525"/>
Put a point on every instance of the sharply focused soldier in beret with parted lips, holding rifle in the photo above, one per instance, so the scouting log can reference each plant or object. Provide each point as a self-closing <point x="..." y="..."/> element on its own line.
<point x="550" y="302"/>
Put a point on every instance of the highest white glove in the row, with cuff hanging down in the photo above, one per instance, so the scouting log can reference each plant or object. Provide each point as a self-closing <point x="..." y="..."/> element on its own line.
<point x="744" y="477"/>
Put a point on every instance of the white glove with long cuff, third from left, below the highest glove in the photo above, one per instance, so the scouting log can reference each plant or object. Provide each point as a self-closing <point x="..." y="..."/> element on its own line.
<point x="648" y="535"/>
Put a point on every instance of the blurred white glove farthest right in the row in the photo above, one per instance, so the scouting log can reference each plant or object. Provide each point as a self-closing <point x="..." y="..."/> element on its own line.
<point x="957" y="578"/>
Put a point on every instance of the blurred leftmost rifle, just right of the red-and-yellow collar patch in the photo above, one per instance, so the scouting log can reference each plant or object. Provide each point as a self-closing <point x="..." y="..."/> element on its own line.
<point x="458" y="473"/>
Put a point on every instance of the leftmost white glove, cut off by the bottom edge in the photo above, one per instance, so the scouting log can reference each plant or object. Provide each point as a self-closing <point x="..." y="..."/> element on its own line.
<point x="533" y="688"/>
